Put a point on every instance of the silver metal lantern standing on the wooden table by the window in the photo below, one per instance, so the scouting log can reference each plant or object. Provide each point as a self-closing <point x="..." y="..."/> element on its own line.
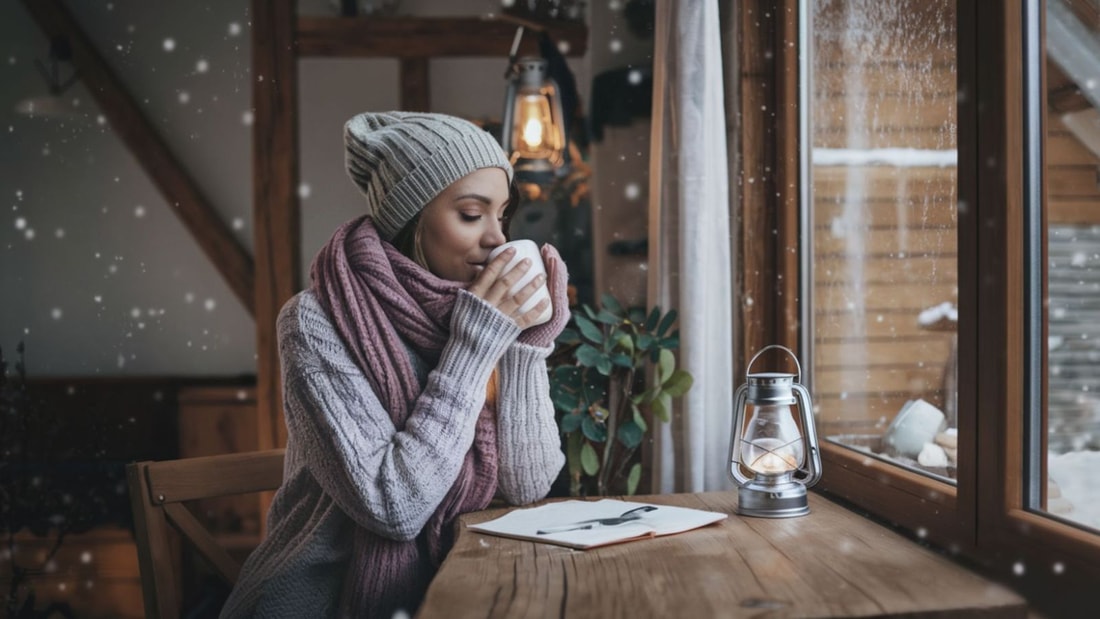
<point x="772" y="447"/>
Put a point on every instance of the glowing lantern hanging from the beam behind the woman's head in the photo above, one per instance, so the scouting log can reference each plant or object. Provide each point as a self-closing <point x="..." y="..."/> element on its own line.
<point x="534" y="129"/>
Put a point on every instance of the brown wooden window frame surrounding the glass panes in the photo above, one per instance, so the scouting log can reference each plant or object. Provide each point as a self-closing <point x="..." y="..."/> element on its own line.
<point x="984" y="519"/>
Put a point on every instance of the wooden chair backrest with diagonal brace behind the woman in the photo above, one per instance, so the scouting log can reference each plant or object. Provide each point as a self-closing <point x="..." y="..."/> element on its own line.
<point x="158" y="492"/>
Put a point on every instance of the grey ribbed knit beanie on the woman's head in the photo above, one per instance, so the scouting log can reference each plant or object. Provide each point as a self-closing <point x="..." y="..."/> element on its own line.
<point x="401" y="161"/>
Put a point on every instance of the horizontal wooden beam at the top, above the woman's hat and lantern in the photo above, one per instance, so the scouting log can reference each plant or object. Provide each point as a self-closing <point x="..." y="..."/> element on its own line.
<point x="417" y="38"/>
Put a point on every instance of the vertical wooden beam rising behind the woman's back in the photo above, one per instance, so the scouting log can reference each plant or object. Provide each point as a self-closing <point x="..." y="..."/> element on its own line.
<point x="276" y="198"/>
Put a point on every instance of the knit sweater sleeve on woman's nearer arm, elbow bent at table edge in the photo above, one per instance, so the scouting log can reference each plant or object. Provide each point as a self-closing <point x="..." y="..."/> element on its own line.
<point x="387" y="481"/>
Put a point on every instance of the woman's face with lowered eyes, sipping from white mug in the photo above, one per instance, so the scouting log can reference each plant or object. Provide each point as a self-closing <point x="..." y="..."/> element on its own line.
<point x="466" y="223"/>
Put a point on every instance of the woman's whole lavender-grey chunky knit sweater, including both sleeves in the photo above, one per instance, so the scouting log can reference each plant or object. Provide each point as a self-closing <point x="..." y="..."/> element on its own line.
<point x="347" y="466"/>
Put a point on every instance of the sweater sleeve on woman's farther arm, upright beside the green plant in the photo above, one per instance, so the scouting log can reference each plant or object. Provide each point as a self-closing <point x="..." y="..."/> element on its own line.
<point x="529" y="441"/>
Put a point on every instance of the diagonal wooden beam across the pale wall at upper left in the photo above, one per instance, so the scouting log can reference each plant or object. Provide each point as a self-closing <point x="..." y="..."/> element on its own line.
<point x="150" y="150"/>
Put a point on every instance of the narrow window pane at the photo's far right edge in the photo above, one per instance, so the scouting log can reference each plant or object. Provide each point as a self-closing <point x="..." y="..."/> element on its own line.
<point x="1073" y="214"/>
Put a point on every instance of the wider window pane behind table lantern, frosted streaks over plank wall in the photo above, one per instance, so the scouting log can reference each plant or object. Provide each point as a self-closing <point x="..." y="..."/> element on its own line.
<point x="883" y="206"/>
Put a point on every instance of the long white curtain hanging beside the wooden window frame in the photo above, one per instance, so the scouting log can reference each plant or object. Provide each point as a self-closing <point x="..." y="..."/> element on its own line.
<point x="690" y="241"/>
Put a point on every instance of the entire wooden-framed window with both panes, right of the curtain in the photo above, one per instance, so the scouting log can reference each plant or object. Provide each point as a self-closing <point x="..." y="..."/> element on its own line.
<point x="949" y="241"/>
